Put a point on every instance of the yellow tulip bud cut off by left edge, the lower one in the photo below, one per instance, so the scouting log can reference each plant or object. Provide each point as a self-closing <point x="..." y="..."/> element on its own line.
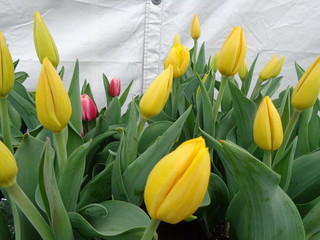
<point x="8" y="167"/>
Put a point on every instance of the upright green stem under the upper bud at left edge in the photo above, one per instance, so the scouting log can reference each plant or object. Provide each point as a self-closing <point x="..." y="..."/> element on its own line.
<point x="5" y="123"/>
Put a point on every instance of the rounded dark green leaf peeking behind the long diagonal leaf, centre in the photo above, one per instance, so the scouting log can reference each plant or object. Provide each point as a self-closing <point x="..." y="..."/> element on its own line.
<point x="151" y="133"/>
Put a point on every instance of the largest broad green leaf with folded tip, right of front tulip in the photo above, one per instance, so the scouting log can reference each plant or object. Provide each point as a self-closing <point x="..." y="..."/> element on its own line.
<point x="261" y="210"/>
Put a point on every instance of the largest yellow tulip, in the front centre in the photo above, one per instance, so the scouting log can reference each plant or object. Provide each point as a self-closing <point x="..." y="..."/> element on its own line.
<point x="177" y="184"/>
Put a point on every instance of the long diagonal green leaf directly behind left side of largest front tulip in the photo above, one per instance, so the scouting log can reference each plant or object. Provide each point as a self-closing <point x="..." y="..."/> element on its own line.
<point x="136" y="174"/>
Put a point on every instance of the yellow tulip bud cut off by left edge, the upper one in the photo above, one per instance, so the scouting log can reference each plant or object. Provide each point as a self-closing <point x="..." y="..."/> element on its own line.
<point x="6" y="68"/>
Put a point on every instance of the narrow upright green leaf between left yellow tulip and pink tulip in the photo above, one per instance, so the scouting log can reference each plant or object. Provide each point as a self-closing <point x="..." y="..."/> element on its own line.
<point x="74" y="94"/>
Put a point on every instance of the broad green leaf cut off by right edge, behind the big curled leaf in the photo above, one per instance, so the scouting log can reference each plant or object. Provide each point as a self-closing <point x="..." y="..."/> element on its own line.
<point x="305" y="180"/>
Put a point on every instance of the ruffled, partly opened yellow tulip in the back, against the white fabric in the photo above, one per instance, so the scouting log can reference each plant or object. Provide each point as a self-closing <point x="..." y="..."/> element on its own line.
<point x="179" y="58"/>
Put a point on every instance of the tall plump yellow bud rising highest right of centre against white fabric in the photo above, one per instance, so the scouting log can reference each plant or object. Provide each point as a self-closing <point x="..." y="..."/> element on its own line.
<point x="233" y="52"/>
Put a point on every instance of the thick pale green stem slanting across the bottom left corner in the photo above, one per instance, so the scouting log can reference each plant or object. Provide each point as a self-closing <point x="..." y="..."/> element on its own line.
<point x="30" y="211"/>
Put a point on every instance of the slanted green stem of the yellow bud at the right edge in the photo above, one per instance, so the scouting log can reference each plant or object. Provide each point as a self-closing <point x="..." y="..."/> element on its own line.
<point x="286" y="136"/>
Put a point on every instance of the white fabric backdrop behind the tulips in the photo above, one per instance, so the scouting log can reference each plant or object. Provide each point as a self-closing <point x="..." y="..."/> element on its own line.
<point x="130" y="39"/>
